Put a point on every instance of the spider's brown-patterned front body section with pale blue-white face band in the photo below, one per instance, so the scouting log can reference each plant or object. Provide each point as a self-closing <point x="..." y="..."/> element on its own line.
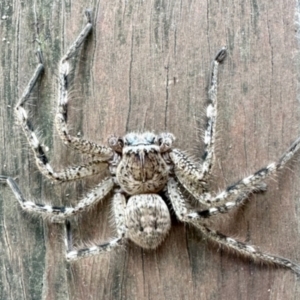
<point x="142" y="167"/>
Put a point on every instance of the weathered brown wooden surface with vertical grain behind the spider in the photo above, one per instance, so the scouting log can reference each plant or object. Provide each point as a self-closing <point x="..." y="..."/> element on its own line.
<point x="146" y="66"/>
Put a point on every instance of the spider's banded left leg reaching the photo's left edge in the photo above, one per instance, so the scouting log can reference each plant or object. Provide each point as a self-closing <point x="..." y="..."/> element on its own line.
<point x="59" y="213"/>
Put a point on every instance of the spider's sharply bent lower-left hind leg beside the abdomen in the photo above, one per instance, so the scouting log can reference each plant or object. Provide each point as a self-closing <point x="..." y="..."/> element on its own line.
<point x="119" y="206"/>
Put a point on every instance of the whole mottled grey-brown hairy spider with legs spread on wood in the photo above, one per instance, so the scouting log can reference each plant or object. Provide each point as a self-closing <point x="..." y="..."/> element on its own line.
<point x="143" y="166"/>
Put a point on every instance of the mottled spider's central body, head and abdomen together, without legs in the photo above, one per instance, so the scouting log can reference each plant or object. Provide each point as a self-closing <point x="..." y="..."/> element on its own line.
<point x="143" y="169"/>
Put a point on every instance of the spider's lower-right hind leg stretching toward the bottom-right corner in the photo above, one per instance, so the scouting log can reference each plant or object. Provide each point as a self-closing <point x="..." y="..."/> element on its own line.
<point x="185" y="214"/>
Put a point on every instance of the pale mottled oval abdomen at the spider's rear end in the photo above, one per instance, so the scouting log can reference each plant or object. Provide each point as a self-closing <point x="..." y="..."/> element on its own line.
<point x="147" y="220"/>
